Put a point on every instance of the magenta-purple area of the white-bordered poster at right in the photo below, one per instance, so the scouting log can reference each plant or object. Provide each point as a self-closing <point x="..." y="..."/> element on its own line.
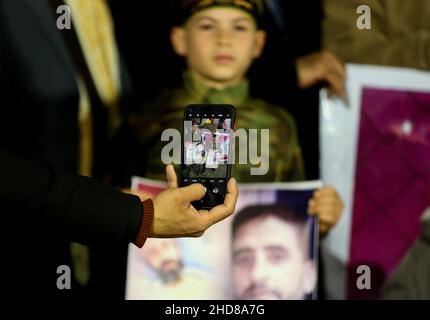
<point x="392" y="182"/>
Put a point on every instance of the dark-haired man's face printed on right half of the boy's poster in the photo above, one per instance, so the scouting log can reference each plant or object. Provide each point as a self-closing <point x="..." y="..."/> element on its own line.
<point x="271" y="254"/>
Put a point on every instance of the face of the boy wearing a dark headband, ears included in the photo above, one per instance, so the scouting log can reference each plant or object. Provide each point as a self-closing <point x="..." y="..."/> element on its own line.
<point x="219" y="45"/>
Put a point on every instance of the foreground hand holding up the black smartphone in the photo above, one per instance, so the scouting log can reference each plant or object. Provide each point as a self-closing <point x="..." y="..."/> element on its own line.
<point x="174" y="216"/>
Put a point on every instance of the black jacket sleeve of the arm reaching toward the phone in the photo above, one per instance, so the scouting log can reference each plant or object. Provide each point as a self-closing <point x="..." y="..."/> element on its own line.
<point x="83" y="209"/>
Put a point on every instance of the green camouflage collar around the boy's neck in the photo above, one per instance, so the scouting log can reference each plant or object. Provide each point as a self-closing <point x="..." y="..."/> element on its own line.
<point x="199" y="92"/>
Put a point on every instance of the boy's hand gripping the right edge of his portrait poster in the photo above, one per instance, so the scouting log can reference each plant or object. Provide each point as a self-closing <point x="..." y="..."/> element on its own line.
<point x="327" y="205"/>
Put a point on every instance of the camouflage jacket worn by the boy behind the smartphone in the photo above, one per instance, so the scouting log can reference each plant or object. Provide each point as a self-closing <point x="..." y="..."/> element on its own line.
<point x="285" y="158"/>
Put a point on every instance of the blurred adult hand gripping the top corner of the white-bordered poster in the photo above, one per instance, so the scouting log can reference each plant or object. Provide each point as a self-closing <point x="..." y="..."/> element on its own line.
<point x="321" y="66"/>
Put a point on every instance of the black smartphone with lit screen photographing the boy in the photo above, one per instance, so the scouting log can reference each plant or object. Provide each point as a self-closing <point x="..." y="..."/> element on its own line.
<point x="207" y="150"/>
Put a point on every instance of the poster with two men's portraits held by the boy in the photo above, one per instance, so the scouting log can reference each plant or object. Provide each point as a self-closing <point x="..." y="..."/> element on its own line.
<point x="266" y="250"/>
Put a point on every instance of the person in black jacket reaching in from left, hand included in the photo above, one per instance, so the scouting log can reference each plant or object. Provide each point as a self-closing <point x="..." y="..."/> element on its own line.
<point x="87" y="211"/>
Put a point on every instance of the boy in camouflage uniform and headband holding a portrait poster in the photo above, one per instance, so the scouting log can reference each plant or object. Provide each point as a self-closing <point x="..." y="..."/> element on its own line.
<point x="219" y="40"/>
